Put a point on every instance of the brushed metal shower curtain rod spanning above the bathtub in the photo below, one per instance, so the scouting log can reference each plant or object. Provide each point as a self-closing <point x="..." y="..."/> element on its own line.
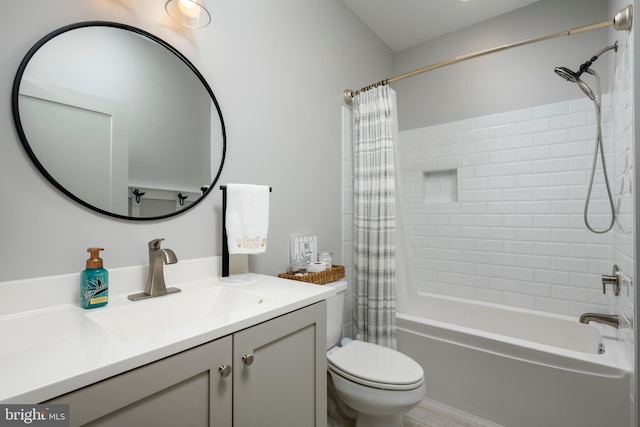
<point x="621" y="21"/>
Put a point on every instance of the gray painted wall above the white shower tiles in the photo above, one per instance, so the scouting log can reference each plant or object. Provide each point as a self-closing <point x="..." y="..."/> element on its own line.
<point x="504" y="81"/>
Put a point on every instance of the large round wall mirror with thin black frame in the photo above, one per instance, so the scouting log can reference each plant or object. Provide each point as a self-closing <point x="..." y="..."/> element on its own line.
<point x="119" y="120"/>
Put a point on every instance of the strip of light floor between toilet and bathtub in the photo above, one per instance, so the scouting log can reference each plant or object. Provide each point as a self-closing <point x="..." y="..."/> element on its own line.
<point x="430" y="413"/>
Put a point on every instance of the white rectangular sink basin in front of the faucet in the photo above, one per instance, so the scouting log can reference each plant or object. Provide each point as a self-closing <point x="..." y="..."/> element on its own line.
<point x="156" y="315"/>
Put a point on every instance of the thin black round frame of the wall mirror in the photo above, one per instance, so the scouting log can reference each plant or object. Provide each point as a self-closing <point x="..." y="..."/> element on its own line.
<point x="38" y="164"/>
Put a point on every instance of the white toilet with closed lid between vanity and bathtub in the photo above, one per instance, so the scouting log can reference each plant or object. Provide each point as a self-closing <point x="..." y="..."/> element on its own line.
<point x="375" y="383"/>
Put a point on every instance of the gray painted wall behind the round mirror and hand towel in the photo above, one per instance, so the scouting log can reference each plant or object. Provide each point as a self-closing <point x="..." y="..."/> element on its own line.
<point x="278" y="69"/>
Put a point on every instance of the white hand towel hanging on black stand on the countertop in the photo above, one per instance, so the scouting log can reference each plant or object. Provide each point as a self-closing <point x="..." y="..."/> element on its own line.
<point x="247" y="218"/>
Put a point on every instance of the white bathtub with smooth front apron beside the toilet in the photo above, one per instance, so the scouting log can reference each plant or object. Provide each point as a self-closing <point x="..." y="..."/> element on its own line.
<point x="517" y="368"/>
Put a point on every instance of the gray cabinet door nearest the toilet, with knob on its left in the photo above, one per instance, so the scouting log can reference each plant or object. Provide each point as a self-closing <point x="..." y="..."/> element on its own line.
<point x="283" y="382"/>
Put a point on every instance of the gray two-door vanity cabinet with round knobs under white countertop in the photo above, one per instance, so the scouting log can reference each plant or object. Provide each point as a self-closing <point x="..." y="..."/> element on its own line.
<point x="278" y="378"/>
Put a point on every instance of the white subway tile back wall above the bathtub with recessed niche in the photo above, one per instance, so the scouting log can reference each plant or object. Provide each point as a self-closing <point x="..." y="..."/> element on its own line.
<point x="516" y="233"/>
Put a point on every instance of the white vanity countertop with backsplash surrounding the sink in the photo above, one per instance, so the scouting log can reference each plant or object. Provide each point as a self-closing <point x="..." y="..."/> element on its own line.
<point x="50" y="346"/>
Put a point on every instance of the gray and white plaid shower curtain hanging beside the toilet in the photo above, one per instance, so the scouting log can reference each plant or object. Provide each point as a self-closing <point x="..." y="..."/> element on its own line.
<point x="374" y="216"/>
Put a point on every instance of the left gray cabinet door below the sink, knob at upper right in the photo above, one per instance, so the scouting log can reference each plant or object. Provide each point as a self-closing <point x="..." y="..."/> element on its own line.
<point x="185" y="389"/>
